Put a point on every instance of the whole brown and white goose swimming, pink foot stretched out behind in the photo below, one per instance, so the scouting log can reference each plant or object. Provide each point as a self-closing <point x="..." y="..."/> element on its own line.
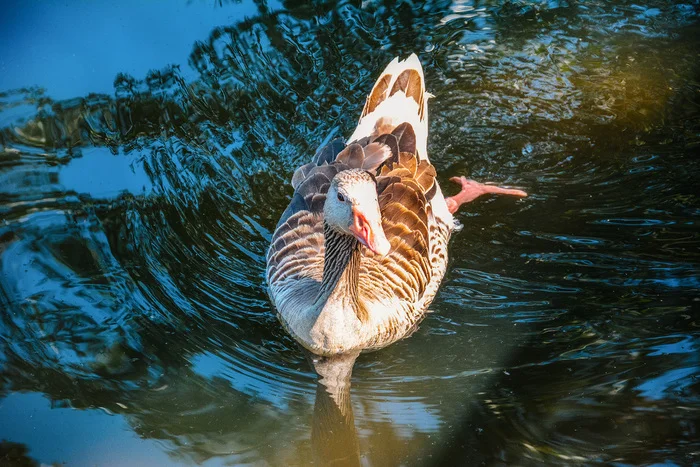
<point x="358" y="255"/>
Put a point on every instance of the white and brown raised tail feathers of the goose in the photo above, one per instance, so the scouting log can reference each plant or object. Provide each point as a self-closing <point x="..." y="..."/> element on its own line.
<point x="398" y="96"/>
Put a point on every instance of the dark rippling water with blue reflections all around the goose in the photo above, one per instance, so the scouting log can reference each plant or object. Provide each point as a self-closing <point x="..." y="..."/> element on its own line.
<point x="145" y="154"/>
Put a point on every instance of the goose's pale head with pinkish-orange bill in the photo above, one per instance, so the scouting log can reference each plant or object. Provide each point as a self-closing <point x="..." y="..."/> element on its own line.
<point x="352" y="208"/>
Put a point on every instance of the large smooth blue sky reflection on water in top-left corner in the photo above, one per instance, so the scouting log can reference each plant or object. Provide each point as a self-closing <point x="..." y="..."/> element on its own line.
<point x="75" y="50"/>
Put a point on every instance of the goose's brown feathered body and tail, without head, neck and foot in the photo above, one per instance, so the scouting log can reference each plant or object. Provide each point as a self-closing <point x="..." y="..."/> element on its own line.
<point x="390" y="144"/>
